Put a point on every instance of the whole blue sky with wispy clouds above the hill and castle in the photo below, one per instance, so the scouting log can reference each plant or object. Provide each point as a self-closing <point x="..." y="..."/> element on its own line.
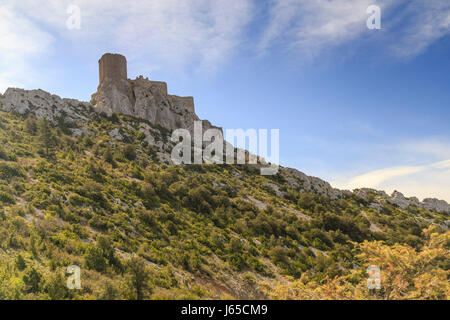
<point x="354" y="106"/>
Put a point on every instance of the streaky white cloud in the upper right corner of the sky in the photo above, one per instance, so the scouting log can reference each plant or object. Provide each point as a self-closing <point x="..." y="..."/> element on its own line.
<point x="313" y="26"/>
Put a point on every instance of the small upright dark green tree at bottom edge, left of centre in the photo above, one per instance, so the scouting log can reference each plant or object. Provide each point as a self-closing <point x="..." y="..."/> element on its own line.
<point x="138" y="277"/>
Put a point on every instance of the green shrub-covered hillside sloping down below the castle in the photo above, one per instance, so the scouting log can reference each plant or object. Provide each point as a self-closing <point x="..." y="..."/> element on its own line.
<point x="97" y="192"/>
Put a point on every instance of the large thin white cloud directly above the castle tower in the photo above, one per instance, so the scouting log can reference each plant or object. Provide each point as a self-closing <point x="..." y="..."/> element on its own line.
<point x="175" y="34"/>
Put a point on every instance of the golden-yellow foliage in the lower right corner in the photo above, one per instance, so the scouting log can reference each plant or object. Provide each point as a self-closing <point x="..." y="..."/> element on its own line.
<point x="405" y="274"/>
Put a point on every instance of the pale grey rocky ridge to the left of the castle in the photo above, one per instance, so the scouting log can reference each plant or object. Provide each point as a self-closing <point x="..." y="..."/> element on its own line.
<point x="45" y="105"/>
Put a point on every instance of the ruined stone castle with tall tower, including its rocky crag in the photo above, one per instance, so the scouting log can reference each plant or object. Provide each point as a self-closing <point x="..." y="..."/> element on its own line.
<point x="141" y="97"/>
